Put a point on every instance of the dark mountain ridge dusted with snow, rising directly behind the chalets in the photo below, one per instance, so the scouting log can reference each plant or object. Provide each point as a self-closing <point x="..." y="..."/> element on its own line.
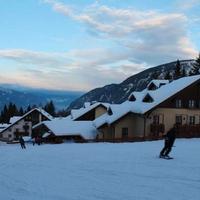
<point x="117" y="93"/>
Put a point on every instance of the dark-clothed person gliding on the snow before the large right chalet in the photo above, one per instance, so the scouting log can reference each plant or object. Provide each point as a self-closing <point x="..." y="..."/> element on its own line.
<point x="169" y="141"/>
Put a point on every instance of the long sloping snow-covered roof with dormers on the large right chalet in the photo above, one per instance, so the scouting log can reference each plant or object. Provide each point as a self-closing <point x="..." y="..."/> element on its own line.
<point x="140" y="107"/>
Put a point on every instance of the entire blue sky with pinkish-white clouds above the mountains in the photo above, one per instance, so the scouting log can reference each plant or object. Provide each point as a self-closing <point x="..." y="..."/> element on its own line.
<point x="83" y="44"/>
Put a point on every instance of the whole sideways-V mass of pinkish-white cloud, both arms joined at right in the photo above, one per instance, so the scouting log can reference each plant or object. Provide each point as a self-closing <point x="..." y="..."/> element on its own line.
<point x="140" y="39"/>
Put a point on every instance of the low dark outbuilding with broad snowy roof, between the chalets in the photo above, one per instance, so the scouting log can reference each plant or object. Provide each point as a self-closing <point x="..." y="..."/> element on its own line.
<point x="64" y="129"/>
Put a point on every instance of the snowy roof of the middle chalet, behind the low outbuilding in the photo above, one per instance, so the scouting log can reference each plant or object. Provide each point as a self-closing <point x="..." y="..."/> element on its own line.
<point x="76" y="113"/>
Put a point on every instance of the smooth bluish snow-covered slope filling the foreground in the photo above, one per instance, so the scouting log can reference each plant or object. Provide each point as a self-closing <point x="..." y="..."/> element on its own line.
<point x="125" y="171"/>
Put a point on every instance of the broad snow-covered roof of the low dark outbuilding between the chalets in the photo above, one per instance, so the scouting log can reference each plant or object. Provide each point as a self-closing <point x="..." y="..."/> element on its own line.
<point x="69" y="127"/>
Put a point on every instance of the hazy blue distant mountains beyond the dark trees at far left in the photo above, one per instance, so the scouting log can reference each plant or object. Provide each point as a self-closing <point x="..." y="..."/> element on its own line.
<point x="22" y="96"/>
